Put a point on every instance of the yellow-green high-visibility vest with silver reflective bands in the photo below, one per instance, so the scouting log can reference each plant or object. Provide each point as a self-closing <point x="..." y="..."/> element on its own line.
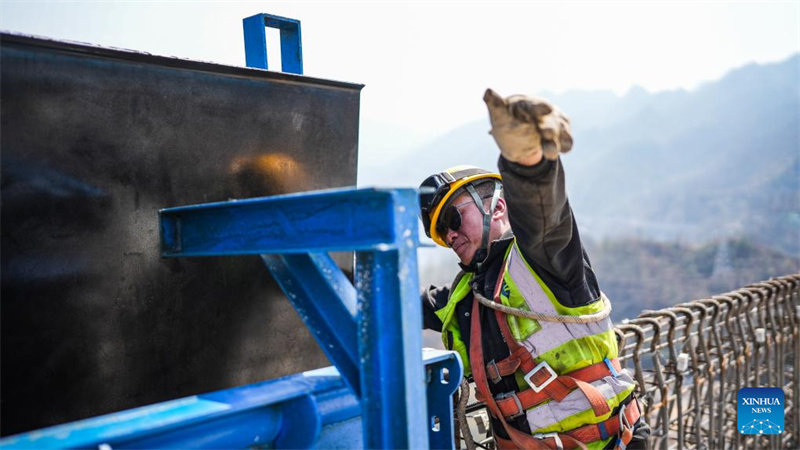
<point x="564" y="347"/>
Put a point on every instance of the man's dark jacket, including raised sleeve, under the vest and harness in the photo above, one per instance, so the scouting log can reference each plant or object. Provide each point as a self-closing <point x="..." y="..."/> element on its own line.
<point x="547" y="234"/>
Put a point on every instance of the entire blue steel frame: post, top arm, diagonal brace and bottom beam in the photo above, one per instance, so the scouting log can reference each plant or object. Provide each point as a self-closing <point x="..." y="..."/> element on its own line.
<point x="370" y="331"/>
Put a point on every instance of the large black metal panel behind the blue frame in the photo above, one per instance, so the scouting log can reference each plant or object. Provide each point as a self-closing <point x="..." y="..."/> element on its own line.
<point x="94" y="141"/>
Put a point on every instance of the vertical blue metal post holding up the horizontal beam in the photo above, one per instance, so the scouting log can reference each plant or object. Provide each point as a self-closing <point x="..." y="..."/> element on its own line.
<point x="390" y="336"/>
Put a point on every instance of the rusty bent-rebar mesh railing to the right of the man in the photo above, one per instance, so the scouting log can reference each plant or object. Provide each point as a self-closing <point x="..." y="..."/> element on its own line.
<point x="690" y="361"/>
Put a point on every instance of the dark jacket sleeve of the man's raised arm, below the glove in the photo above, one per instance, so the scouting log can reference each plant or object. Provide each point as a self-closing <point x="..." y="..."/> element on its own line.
<point x="546" y="231"/>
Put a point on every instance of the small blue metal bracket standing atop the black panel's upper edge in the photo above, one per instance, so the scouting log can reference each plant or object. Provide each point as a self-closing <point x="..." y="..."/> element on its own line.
<point x="255" y="42"/>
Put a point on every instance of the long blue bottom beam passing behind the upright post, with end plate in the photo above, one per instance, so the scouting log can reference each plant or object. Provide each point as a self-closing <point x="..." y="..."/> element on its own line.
<point x="309" y="410"/>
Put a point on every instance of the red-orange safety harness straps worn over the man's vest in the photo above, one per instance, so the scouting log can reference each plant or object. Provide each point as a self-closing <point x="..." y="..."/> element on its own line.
<point x="545" y="385"/>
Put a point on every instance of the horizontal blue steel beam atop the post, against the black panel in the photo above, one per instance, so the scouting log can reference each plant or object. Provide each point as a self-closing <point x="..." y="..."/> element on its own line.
<point x="323" y="221"/>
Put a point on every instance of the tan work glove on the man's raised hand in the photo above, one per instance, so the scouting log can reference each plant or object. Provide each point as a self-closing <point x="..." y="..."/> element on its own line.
<point x="525" y="127"/>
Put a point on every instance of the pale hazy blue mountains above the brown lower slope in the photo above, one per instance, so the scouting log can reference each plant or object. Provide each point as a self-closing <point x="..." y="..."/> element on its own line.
<point x="721" y="161"/>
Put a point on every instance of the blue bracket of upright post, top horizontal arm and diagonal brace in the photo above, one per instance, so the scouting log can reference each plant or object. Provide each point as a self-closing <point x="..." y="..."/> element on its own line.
<point x="371" y="332"/>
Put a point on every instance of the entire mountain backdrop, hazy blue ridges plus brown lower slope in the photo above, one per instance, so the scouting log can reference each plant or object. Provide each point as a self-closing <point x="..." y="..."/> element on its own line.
<point x="678" y="195"/>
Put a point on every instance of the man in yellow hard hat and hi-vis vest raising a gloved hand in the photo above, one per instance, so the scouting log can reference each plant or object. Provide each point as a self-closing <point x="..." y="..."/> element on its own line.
<point x="526" y="313"/>
